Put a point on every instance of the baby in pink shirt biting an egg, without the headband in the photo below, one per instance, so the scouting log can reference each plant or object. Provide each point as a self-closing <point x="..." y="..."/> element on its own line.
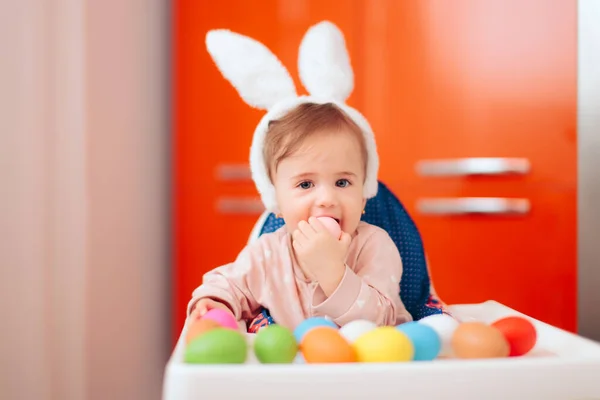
<point x="316" y="159"/>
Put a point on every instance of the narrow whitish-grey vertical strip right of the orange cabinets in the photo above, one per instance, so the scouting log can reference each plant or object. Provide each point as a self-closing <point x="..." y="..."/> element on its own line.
<point x="588" y="185"/>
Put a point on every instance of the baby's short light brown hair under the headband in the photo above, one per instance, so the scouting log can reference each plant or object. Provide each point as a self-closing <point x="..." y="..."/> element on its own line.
<point x="286" y="135"/>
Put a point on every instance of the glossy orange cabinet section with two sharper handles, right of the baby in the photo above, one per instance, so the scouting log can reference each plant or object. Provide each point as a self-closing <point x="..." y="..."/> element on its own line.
<point x="447" y="81"/>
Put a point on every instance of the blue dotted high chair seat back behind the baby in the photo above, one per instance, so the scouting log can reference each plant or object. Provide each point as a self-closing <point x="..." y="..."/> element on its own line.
<point x="387" y="212"/>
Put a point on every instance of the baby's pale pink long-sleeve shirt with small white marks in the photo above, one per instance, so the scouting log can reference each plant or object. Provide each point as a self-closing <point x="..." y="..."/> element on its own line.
<point x="265" y="274"/>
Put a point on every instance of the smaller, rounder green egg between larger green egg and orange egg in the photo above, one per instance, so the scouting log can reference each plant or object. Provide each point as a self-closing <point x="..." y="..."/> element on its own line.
<point x="275" y="344"/>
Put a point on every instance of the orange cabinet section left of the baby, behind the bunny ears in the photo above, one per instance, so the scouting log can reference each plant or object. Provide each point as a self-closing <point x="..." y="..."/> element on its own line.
<point x="213" y="126"/>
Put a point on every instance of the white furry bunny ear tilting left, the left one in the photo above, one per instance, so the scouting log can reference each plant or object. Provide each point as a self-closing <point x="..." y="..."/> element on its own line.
<point x="256" y="73"/>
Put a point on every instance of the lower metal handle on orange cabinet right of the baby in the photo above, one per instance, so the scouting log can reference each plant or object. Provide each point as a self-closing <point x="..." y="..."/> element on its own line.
<point x="473" y="205"/>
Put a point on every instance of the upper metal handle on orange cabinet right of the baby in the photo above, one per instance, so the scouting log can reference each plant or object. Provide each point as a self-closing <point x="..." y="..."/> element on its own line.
<point x="473" y="166"/>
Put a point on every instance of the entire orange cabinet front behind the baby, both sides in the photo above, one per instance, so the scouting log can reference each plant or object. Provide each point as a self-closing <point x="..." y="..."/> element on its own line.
<point x="438" y="81"/>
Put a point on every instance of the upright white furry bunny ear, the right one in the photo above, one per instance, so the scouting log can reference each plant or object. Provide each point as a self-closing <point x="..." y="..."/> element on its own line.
<point x="324" y="64"/>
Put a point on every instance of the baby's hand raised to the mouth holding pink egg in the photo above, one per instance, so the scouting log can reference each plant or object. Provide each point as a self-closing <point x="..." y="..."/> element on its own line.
<point x="321" y="256"/>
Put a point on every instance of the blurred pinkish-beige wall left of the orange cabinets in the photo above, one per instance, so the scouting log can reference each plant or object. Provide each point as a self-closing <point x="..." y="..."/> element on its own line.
<point x="84" y="201"/>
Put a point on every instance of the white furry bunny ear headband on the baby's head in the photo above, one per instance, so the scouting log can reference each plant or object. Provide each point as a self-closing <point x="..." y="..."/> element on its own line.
<point x="264" y="83"/>
